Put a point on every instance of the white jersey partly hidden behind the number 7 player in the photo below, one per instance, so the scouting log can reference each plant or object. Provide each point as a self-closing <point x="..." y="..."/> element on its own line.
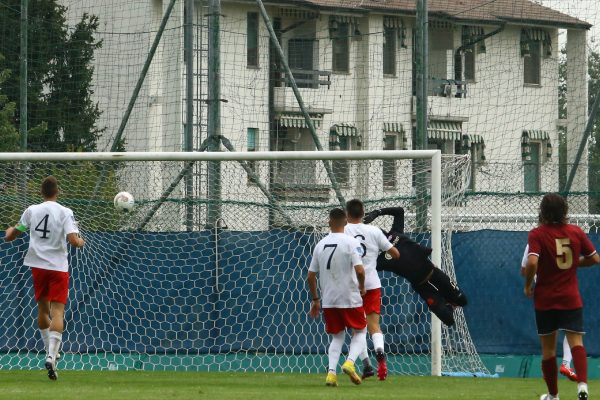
<point x="372" y="241"/>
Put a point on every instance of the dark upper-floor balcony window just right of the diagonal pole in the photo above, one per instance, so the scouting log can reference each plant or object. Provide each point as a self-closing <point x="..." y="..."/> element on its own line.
<point x="301" y="56"/>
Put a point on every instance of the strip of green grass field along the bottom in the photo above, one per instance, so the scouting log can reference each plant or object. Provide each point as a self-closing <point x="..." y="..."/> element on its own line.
<point x="264" y="386"/>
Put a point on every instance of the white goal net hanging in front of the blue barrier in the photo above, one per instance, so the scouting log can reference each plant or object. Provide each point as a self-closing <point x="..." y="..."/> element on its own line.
<point x="215" y="280"/>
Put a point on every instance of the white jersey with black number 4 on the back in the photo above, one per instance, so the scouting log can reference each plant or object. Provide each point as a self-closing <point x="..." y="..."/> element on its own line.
<point x="48" y="223"/>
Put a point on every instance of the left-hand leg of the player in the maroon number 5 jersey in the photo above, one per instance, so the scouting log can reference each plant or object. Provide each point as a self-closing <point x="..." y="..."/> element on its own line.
<point x="547" y="327"/>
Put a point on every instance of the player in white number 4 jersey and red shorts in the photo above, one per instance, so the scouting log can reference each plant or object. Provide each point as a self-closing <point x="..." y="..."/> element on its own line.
<point x="50" y="226"/>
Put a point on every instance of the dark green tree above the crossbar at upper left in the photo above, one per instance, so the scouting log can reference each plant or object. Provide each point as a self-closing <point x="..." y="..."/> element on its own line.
<point x="61" y="112"/>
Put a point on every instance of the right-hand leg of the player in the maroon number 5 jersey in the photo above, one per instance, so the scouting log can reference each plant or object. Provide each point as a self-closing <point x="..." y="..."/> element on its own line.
<point x="572" y="322"/>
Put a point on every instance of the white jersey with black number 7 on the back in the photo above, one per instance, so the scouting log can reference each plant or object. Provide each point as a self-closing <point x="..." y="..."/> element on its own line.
<point x="334" y="258"/>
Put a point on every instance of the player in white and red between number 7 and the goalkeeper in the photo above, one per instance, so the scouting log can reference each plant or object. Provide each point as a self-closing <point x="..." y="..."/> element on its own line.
<point x="372" y="241"/>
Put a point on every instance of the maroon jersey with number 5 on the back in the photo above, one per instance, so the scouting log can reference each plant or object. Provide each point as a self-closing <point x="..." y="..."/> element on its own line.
<point x="558" y="247"/>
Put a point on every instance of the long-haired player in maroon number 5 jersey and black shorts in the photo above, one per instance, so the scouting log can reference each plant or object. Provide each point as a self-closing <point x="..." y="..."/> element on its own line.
<point x="556" y="249"/>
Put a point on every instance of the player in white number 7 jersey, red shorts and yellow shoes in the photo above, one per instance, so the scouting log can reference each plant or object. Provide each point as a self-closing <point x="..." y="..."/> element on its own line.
<point x="337" y="260"/>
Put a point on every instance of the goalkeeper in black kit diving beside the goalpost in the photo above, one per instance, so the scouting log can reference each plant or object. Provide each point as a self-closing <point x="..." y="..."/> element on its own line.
<point x="432" y="284"/>
